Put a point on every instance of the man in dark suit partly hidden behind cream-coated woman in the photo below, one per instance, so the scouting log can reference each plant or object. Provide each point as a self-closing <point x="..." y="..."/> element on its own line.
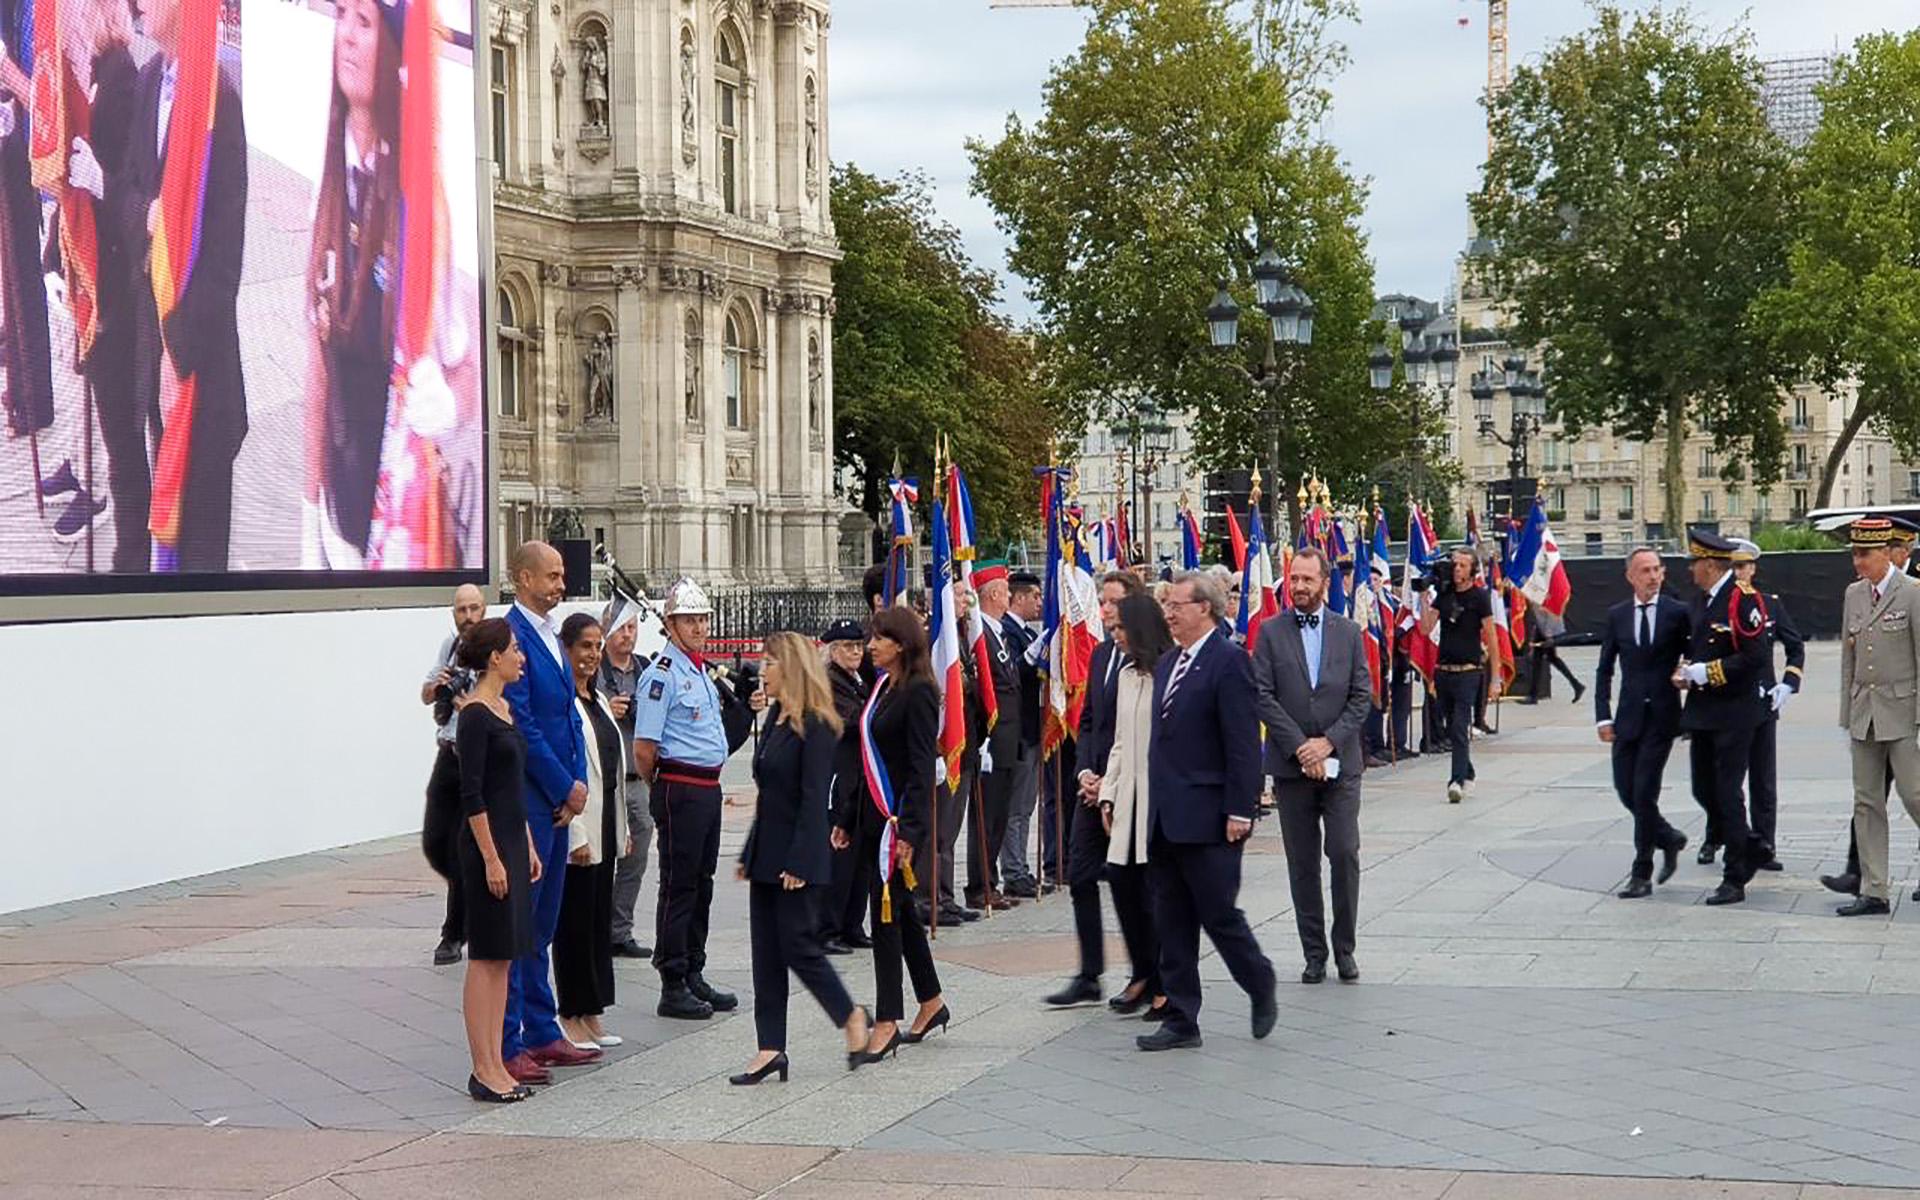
<point x="1088" y="840"/>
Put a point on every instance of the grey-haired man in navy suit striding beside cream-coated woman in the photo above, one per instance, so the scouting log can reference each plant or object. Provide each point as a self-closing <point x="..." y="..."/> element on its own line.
<point x="1205" y="790"/>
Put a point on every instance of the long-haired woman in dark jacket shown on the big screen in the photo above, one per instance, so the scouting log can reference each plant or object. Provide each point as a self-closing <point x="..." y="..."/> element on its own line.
<point x="352" y="285"/>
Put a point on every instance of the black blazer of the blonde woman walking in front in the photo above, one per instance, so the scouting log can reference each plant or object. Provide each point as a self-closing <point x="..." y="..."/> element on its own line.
<point x="790" y="825"/>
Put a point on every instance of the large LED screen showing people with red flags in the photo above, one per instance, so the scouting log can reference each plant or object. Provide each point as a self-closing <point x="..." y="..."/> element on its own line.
<point x="241" y="333"/>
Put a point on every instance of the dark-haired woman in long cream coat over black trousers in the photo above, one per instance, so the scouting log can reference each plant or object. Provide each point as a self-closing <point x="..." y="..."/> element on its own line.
<point x="1124" y="804"/>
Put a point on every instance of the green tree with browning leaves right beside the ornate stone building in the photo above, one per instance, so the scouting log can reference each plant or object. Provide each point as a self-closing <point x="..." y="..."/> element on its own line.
<point x="921" y="352"/>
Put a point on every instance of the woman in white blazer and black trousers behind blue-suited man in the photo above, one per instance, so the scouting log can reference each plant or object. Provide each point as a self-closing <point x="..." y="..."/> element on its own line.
<point x="596" y="840"/>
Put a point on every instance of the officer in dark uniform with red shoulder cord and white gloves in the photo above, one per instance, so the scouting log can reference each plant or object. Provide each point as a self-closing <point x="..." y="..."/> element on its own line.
<point x="1727" y="652"/>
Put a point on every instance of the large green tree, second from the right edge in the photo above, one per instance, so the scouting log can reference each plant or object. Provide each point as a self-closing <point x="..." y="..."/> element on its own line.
<point x="1637" y="203"/>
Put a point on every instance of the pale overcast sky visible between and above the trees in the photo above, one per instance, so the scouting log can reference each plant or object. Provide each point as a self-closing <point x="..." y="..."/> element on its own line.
<point x="915" y="80"/>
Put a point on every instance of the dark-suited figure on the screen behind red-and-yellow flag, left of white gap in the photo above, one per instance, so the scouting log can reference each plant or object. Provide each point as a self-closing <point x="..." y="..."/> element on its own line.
<point x="201" y="339"/>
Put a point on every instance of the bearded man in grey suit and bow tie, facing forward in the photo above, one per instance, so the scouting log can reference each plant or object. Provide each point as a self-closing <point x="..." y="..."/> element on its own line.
<point x="1310" y="673"/>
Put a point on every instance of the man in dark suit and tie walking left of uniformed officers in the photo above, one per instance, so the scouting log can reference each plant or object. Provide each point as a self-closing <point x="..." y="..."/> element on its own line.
<point x="1646" y="636"/>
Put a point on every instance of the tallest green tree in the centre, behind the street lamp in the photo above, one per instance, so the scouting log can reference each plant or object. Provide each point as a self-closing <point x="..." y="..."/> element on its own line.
<point x="1178" y="143"/>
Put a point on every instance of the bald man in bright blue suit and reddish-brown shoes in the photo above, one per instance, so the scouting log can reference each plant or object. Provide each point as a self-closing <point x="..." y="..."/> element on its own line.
<point x="556" y="792"/>
